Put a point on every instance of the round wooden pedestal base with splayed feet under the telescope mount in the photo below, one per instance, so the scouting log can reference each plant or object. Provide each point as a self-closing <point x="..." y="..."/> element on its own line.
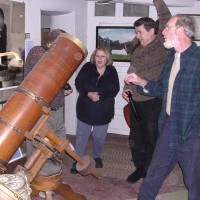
<point x="54" y="183"/>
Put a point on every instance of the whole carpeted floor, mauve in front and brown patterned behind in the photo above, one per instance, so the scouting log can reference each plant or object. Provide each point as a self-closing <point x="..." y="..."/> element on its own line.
<point x="117" y="166"/>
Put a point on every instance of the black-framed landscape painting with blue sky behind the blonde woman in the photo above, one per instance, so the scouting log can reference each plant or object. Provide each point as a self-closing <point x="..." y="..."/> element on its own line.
<point x="116" y="38"/>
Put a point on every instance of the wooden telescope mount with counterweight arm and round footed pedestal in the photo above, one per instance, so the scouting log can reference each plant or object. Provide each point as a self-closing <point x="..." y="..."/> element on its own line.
<point x="48" y="145"/>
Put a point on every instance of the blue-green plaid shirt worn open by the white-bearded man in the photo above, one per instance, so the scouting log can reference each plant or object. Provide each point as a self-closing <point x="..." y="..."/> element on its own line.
<point x="185" y="104"/>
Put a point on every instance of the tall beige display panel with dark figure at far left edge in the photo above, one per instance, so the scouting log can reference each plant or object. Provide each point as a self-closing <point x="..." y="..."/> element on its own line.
<point x="12" y="39"/>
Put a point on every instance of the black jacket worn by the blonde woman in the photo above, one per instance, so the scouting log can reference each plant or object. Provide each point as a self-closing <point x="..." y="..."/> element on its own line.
<point x="89" y="80"/>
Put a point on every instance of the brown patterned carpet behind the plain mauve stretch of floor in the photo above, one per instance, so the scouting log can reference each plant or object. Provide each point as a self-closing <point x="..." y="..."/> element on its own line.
<point x="117" y="159"/>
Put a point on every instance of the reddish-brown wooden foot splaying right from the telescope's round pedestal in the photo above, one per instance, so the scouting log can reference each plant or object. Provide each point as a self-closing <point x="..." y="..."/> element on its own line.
<point x="68" y="194"/>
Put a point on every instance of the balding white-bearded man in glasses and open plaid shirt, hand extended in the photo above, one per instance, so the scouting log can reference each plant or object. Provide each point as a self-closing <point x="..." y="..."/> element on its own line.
<point x="179" y="121"/>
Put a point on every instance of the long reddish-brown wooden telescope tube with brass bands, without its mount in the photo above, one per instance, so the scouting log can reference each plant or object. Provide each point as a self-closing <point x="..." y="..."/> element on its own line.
<point x="39" y="88"/>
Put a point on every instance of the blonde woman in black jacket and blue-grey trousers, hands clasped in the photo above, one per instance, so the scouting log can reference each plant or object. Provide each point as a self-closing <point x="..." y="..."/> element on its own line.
<point x="97" y="84"/>
